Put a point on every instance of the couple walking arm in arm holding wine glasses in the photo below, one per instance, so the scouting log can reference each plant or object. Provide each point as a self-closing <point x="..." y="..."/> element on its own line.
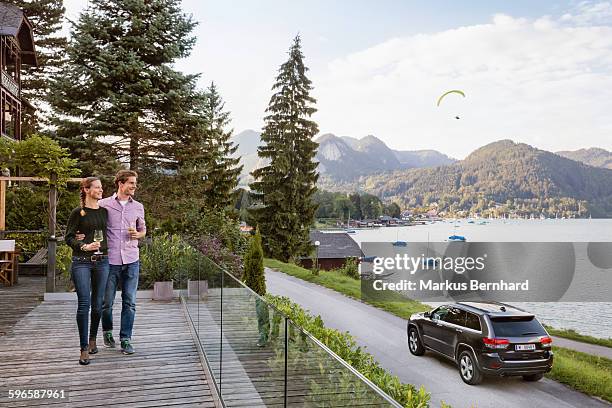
<point x="103" y="235"/>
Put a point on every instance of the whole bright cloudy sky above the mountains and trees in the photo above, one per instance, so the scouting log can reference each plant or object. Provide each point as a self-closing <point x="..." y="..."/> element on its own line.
<point x="538" y="72"/>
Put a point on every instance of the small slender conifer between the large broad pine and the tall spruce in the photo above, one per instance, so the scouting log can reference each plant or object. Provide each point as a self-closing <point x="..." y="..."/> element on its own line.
<point x="222" y="169"/>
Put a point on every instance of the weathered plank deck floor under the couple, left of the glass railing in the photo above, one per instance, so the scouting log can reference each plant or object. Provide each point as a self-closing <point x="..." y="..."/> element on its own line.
<point x="41" y="352"/>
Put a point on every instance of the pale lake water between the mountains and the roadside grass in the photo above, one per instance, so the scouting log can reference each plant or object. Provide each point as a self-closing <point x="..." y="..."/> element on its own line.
<point x="570" y="315"/>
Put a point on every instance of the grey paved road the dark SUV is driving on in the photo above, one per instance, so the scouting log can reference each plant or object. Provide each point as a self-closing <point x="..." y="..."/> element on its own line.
<point x="384" y="336"/>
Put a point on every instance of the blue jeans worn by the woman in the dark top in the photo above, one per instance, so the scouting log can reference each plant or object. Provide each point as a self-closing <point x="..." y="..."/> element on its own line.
<point x="90" y="282"/>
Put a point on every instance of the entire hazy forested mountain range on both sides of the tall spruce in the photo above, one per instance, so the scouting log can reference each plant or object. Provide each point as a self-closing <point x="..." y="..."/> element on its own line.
<point x="506" y="174"/>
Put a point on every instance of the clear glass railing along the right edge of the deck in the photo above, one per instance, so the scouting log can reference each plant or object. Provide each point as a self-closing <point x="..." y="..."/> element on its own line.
<point x="257" y="356"/>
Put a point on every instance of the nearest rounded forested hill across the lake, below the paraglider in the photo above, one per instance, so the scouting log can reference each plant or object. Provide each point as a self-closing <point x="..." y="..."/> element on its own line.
<point x="504" y="173"/>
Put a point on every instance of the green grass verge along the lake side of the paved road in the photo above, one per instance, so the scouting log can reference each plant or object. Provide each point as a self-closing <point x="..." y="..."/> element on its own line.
<point x="583" y="372"/>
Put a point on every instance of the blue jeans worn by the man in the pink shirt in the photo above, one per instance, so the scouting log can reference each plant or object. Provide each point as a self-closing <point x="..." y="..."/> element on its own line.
<point x="127" y="275"/>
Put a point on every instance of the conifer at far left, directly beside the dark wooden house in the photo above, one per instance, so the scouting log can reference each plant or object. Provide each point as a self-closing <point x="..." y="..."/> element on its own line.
<point x="46" y="17"/>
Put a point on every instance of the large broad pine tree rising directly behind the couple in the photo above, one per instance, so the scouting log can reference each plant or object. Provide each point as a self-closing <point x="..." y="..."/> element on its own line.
<point x="119" y="87"/>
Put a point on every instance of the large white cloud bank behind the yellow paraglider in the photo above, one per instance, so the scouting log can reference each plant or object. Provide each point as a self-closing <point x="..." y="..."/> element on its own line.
<point x="545" y="81"/>
